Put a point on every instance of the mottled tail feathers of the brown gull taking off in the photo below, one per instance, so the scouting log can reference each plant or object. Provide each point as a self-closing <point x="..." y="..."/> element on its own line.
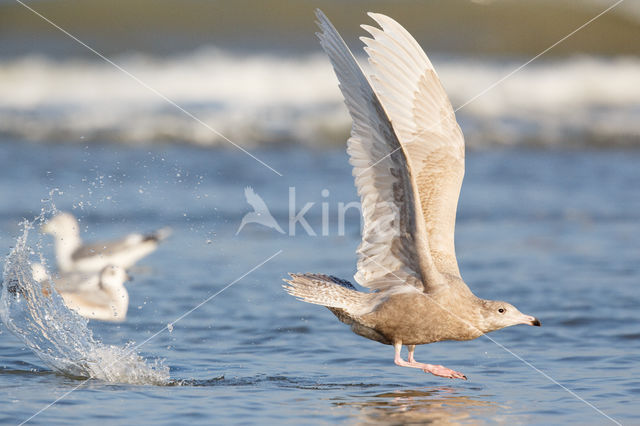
<point x="329" y="291"/>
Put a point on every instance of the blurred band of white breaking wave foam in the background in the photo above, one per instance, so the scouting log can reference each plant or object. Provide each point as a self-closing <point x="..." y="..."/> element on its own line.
<point x="260" y="99"/>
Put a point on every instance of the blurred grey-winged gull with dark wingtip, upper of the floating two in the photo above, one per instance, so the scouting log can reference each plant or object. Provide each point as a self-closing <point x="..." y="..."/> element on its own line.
<point x="72" y="255"/>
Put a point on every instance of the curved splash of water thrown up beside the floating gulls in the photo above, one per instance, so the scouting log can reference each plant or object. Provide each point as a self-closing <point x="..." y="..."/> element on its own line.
<point x="37" y="315"/>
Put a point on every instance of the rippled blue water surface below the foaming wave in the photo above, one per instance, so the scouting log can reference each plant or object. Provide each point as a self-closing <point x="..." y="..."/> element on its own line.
<point x="555" y="233"/>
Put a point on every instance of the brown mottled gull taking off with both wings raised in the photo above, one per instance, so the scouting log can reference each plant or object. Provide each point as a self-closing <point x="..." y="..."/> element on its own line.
<point x="407" y="153"/>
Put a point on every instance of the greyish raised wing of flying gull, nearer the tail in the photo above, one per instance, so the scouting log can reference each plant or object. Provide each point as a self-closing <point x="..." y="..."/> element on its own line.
<point x="394" y="250"/>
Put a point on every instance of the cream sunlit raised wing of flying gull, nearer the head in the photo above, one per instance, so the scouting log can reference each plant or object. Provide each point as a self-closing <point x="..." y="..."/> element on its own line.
<point x="424" y="121"/>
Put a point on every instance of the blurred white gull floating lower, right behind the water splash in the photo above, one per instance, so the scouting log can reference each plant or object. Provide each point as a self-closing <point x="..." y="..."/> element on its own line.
<point x="100" y="296"/>
